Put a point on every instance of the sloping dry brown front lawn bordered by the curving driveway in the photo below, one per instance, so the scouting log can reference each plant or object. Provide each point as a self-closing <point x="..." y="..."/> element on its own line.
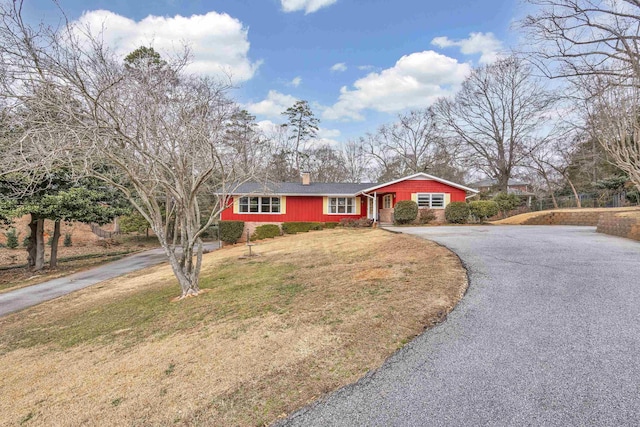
<point x="312" y="313"/>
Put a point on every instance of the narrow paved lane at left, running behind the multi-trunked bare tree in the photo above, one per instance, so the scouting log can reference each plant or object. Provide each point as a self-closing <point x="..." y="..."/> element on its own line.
<point x="32" y="295"/>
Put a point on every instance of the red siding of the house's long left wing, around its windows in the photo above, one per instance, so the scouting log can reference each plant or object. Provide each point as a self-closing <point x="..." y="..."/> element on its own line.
<point x="299" y="208"/>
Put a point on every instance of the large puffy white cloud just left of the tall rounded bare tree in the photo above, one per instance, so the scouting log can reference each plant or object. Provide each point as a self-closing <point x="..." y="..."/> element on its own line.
<point x="415" y="81"/>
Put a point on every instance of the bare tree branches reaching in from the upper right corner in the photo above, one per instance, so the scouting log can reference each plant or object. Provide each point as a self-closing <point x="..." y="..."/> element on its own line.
<point x="594" y="44"/>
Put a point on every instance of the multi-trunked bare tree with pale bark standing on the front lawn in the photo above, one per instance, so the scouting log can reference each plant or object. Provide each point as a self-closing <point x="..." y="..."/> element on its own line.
<point x="158" y="133"/>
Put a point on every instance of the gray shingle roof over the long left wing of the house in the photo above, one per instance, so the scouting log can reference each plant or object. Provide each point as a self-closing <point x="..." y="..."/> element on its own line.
<point x="296" y="188"/>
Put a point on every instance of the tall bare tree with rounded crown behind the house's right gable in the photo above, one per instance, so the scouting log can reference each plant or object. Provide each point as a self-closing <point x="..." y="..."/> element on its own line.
<point x="498" y="114"/>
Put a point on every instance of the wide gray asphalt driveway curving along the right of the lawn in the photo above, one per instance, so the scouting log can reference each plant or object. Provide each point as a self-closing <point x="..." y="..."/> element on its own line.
<point x="547" y="335"/>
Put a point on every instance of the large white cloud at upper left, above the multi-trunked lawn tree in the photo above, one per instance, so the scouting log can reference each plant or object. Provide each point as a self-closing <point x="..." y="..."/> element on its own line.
<point x="219" y="43"/>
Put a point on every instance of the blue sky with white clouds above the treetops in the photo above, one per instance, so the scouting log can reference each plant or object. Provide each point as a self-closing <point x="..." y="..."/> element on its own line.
<point x="357" y="63"/>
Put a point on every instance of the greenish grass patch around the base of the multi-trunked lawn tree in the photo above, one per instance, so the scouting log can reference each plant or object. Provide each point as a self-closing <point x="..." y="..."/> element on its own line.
<point x="237" y="291"/>
